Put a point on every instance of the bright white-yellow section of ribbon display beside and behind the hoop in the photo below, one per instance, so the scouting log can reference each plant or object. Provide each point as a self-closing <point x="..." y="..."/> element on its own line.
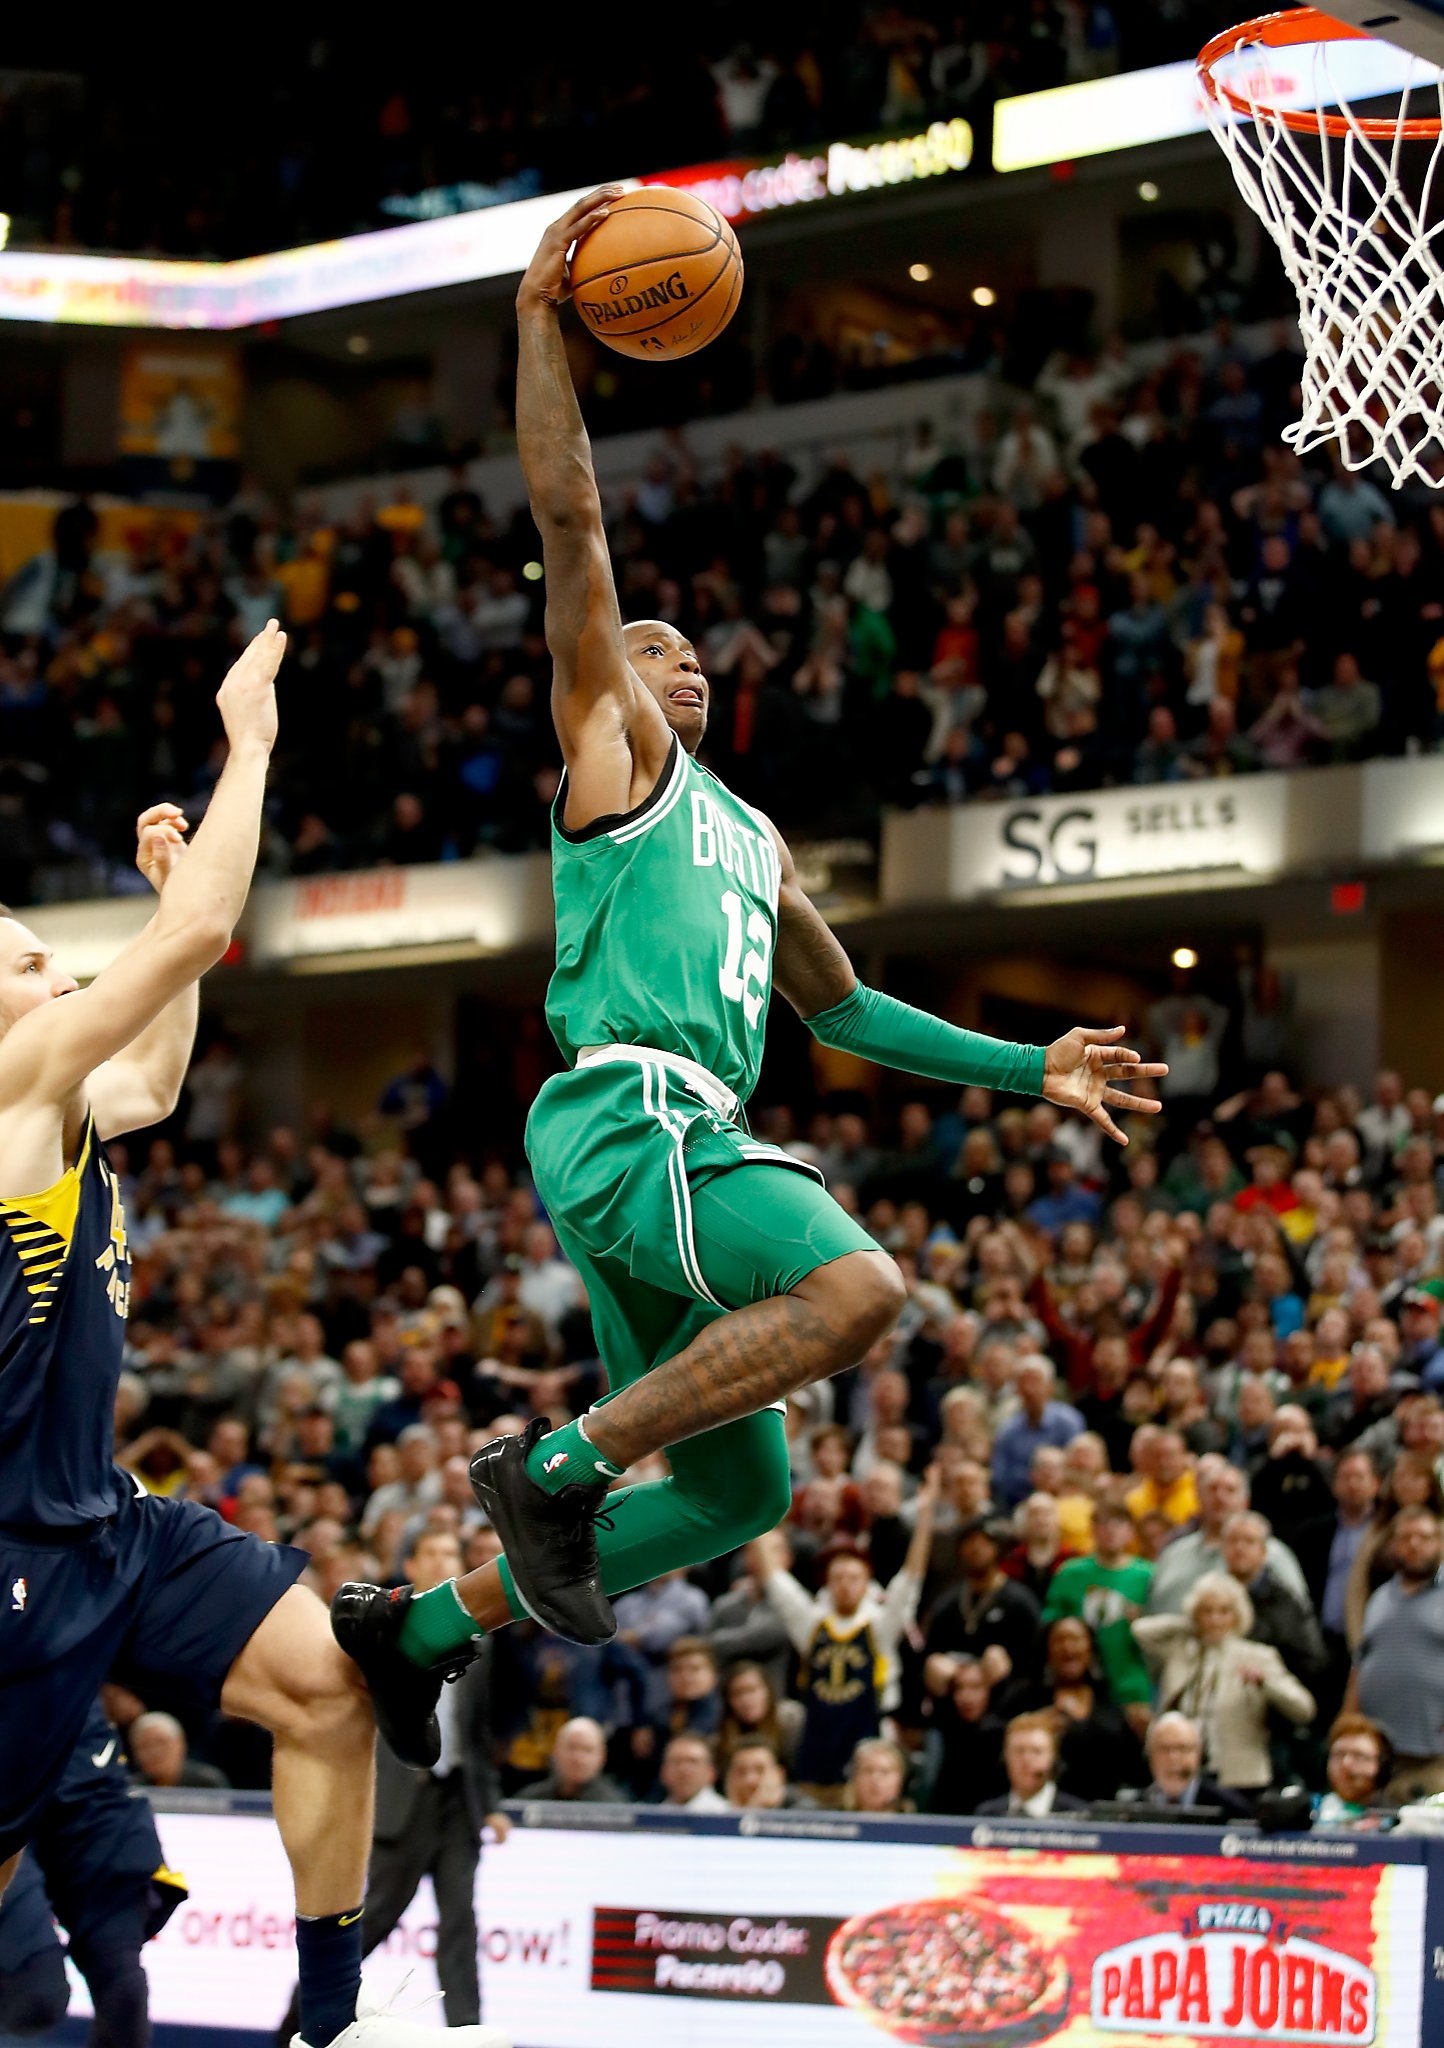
<point x="1136" y="108"/>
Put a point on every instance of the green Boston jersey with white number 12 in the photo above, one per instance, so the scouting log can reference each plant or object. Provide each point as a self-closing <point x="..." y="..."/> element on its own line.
<point x="667" y="923"/>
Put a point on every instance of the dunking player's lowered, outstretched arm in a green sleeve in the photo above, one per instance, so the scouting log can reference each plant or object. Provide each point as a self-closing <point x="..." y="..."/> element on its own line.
<point x="1078" y="1072"/>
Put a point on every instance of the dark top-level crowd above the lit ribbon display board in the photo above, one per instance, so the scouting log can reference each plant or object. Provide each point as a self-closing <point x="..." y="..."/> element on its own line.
<point x="310" y="136"/>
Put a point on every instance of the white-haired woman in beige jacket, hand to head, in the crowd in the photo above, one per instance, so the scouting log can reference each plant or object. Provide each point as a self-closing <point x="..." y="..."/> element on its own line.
<point x="1214" y="1674"/>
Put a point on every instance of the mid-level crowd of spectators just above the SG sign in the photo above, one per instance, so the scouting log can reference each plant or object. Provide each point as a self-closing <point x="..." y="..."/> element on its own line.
<point x="1119" y="579"/>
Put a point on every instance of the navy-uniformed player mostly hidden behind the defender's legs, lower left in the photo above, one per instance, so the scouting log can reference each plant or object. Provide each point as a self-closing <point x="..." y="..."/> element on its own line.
<point x="97" y="1867"/>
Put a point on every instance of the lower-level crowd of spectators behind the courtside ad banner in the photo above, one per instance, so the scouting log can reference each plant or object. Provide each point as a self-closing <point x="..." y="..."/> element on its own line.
<point x="1142" y="1498"/>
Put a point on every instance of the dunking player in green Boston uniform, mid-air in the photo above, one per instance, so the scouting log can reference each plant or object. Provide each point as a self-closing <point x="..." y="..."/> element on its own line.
<point x="720" y="1271"/>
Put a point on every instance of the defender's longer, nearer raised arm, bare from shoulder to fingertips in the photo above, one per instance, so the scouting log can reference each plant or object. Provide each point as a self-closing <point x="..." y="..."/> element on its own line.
<point x="52" y="1050"/>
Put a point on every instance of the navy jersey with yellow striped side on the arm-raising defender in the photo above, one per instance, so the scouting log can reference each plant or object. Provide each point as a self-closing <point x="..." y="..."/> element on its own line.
<point x="65" y="1295"/>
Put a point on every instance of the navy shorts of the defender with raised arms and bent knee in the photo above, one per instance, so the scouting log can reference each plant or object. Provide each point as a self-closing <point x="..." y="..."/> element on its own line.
<point x="163" y="1598"/>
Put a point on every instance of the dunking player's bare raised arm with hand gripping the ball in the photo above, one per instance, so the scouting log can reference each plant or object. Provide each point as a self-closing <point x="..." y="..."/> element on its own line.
<point x="595" y="695"/>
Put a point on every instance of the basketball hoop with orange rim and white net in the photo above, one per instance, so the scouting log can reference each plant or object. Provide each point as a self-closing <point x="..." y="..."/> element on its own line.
<point x="1353" y="208"/>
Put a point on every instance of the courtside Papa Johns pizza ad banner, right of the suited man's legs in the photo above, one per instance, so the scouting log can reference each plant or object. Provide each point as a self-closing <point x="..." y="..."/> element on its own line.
<point x="788" y="1945"/>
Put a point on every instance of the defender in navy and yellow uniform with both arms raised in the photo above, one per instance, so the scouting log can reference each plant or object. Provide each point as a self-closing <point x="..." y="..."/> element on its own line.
<point x="97" y="1582"/>
